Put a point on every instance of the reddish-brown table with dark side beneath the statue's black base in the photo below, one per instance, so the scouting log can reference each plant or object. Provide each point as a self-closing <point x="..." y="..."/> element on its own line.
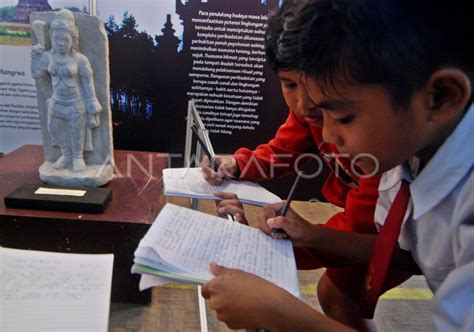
<point x="136" y="189"/>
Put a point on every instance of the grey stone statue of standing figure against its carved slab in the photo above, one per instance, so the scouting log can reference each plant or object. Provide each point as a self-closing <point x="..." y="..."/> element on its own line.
<point x="76" y="132"/>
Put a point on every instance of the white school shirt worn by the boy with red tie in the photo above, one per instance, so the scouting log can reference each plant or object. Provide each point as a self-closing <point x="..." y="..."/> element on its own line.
<point x="439" y="224"/>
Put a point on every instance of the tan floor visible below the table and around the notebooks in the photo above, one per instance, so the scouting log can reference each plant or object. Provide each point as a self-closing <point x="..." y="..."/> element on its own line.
<point x="175" y="307"/>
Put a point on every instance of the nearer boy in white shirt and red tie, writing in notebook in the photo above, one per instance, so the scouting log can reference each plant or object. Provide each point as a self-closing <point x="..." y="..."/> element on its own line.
<point x="393" y="82"/>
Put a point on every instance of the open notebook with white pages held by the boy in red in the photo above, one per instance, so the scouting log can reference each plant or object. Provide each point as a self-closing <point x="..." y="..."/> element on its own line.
<point x="189" y="182"/>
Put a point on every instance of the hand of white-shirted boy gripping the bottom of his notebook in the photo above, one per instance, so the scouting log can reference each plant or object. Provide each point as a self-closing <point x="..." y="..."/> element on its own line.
<point x="241" y="299"/>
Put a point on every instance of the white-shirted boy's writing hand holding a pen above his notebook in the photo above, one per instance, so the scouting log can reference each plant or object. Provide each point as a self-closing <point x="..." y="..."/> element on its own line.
<point x="297" y="229"/>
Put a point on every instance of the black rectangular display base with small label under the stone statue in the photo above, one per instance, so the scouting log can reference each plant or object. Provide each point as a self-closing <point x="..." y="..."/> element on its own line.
<point x="95" y="200"/>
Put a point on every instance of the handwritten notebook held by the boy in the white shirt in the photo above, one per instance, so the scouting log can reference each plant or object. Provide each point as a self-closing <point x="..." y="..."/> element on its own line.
<point x="191" y="239"/>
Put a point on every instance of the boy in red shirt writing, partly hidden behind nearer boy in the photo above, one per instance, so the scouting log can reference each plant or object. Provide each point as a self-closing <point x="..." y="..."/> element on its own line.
<point x="339" y="288"/>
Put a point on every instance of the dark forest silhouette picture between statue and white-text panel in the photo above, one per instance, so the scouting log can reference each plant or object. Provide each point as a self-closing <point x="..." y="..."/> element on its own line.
<point x="146" y="75"/>
